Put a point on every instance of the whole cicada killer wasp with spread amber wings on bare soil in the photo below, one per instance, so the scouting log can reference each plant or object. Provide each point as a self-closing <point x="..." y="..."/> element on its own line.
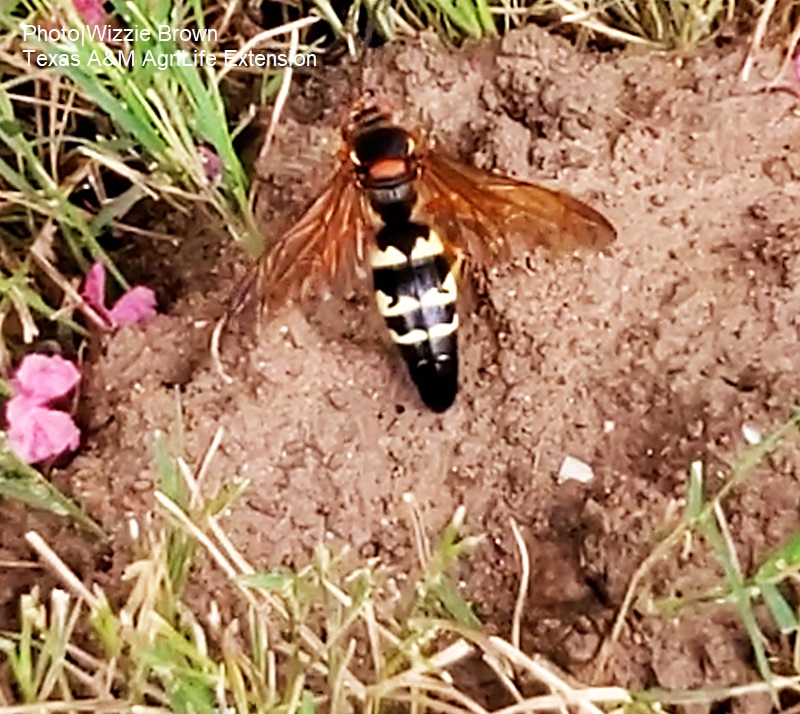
<point x="416" y="214"/>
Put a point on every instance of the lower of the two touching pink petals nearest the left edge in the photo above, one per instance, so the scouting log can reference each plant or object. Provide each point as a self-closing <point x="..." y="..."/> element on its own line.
<point x="38" y="433"/>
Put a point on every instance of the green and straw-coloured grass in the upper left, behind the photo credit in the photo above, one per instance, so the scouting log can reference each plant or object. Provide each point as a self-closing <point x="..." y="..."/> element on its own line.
<point x="101" y="128"/>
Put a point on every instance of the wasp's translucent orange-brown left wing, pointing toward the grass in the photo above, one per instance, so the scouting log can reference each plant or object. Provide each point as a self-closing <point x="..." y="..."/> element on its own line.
<point x="324" y="247"/>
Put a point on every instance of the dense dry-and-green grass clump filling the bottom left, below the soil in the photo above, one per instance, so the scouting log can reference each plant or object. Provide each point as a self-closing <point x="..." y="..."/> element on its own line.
<point x="326" y="636"/>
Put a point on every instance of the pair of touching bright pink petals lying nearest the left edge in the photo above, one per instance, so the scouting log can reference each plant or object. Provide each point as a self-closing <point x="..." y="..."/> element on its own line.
<point x="37" y="432"/>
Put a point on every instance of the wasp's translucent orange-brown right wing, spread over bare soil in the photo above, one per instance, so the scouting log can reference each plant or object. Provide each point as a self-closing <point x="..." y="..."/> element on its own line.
<point x="486" y="214"/>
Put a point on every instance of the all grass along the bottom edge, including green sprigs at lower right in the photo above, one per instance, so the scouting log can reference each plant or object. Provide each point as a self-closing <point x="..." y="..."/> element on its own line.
<point x="336" y="634"/>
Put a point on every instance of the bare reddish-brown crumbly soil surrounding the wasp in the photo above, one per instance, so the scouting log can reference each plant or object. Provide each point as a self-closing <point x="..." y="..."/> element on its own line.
<point x="638" y="361"/>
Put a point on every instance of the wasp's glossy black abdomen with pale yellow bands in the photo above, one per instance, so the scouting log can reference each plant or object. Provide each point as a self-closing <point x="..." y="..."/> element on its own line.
<point x="416" y="292"/>
